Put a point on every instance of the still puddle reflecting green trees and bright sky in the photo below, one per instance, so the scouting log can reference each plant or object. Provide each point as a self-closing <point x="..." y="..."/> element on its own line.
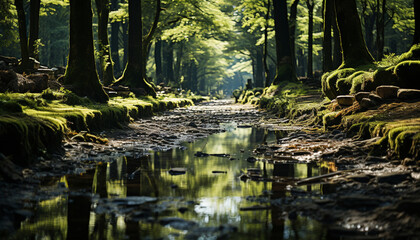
<point x="142" y="198"/>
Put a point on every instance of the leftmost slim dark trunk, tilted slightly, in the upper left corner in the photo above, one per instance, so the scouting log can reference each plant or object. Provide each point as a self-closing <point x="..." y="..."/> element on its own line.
<point x="22" y="33"/>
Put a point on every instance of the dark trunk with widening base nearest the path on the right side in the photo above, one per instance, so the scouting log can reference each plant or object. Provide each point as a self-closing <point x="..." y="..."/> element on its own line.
<point x="284" y="68"/>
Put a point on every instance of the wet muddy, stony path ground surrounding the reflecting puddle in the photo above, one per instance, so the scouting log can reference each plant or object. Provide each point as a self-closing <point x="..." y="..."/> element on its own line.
<point x="360" y="196"/>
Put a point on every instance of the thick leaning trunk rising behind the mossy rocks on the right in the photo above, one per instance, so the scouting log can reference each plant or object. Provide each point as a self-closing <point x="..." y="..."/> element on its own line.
<point x="353" y="46"/>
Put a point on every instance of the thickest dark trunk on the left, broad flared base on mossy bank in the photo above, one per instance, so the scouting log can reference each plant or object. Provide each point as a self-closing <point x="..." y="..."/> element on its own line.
<point x="81" y="75"/>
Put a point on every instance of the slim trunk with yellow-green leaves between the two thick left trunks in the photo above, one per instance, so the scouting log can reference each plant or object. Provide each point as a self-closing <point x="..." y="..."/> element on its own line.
<point x="105" y="60"/>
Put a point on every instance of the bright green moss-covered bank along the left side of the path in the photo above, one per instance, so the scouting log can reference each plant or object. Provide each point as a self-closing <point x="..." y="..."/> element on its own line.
<point x="33" y="125"/>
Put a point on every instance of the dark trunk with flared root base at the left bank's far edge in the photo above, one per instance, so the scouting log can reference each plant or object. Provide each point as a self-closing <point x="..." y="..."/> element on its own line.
<point x="133" y="75"/>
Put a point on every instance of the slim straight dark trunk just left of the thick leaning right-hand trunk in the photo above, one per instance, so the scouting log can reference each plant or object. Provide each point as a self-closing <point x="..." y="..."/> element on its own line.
<point x="326" y="41"/>
